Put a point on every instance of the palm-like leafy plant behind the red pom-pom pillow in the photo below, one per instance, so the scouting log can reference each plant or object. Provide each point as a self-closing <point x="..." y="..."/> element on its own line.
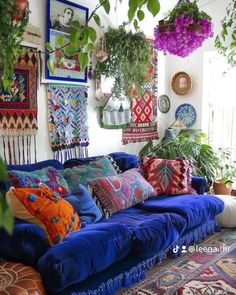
<point x="191" y="146"/>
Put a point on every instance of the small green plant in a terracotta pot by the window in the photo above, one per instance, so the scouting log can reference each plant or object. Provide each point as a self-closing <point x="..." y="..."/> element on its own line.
<point x="226" y="173"/>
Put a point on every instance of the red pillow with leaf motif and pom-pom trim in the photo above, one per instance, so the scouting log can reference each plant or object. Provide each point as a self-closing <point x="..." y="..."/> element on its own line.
<point x="169" y="177"/>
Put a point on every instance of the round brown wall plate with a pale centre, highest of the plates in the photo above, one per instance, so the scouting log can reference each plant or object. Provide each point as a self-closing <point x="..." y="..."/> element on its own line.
<point x="181" y="83"/>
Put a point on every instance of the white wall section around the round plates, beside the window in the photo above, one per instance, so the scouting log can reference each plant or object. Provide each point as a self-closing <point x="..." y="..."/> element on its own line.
<point x="193" y="65"/>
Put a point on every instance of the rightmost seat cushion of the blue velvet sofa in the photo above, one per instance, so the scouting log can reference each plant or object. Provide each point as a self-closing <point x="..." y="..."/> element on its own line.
<point x="196" y="209"/>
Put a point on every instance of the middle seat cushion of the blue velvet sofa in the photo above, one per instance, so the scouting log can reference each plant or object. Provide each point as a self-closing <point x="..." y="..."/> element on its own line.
<point x="152" y="232"/>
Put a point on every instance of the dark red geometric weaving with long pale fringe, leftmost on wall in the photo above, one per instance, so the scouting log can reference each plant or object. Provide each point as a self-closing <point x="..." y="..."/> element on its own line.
<point x="18" y="112"/>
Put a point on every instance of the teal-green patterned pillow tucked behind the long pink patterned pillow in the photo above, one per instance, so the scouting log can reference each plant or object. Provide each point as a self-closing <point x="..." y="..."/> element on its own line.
<point x="83" y="173"/>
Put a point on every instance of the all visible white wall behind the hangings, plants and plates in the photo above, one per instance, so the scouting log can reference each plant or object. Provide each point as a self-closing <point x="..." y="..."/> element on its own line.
<point x="102" y="140"/>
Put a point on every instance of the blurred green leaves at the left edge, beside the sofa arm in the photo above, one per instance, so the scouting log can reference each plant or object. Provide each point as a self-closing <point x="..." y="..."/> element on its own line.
<point x="6" y="218"/>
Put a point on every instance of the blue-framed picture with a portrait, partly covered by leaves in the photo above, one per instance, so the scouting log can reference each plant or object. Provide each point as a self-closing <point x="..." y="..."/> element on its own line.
<point x="60" y="14"/>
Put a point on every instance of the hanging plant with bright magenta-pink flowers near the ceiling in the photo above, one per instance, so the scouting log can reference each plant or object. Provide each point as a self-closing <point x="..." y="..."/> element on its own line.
<point x="184" y="30"/>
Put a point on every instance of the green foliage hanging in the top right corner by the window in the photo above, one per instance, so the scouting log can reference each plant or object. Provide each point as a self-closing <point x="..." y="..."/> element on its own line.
<point x="225" y="42"/>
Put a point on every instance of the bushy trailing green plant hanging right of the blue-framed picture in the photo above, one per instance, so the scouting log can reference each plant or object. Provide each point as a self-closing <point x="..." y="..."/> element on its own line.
<point x="128" y="60"/>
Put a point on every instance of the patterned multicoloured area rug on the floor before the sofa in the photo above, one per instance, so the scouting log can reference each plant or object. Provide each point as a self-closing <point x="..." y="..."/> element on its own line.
<point x="206" y="269"/>
